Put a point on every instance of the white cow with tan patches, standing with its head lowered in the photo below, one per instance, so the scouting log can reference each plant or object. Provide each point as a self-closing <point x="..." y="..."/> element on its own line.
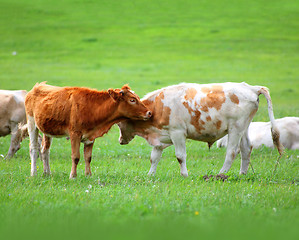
<point x="203" y="112"/>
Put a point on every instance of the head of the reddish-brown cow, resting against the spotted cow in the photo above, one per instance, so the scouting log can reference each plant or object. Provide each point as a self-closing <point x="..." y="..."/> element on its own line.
<point x="130" y="105"/>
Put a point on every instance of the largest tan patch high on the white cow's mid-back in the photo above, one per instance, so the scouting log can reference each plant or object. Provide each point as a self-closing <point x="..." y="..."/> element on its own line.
<point x="214" y="99"/>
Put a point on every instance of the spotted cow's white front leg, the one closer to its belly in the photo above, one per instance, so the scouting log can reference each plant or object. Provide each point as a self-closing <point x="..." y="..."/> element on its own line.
<point x="179" y="142"/>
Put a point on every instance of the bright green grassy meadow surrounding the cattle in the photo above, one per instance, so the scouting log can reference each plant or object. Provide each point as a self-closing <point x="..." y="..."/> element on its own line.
<point x="149" y="45"/>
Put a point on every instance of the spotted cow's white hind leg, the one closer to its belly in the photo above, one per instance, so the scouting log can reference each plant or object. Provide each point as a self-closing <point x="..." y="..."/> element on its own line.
<point x="234" y="137"/>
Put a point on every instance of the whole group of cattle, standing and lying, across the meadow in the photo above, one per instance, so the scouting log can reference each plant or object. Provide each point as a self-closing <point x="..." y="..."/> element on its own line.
<point x="221" y="112"/>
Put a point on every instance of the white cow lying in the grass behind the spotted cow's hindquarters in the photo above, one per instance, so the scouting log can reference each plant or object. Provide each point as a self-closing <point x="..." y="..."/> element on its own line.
<point x="260" y="133"/>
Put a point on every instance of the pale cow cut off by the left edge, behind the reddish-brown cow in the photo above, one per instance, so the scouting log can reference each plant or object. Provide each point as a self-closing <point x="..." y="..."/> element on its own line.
<point x="12" y="113"/>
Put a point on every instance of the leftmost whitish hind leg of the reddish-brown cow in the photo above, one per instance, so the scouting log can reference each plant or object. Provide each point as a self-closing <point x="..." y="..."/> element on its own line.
<point x="33" y="136"/>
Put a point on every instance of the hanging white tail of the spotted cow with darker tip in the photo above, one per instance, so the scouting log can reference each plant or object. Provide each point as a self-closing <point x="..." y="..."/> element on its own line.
<point x="274" y="129"/>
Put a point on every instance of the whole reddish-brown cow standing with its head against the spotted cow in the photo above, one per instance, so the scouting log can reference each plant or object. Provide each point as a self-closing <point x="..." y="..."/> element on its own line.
<point x="83" y="114"/>
